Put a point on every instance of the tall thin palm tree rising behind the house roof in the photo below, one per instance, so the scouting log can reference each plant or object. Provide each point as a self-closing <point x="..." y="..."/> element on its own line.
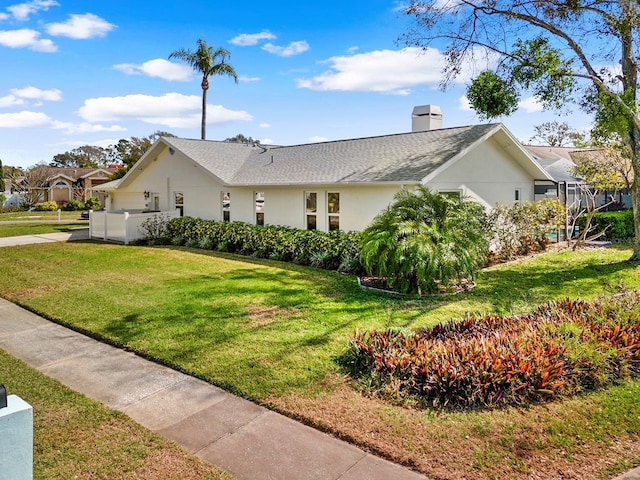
<point x="208" y="62"/>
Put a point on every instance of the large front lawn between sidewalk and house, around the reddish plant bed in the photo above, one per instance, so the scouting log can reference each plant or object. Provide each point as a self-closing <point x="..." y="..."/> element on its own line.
<point x="272" y="332"/>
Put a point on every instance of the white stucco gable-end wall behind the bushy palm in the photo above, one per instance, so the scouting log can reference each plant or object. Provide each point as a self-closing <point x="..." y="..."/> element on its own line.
<point x="488" y="175"/>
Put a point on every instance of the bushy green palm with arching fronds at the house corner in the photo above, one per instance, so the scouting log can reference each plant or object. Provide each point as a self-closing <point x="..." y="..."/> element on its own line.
<point x="425" y="241"/>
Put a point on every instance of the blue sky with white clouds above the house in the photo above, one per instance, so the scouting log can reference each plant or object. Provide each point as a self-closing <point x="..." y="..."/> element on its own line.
<point x="86" y="72"/>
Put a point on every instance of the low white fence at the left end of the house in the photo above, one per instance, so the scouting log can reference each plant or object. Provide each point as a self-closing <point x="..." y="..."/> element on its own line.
<point x="122" y="226"/>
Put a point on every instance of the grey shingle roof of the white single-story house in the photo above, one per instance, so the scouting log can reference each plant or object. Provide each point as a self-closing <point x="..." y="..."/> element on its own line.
<point x="407" y="157"/>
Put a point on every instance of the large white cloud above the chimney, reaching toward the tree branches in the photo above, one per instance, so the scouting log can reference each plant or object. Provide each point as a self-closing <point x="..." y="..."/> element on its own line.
<point x="385" y="71"/>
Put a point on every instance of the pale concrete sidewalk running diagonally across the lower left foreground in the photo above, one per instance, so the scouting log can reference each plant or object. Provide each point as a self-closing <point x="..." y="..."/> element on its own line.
<point x="247" y="440"/>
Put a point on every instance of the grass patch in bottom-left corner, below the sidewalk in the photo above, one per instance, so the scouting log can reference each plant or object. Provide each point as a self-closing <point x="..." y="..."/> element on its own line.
<point x="75" y="437"/>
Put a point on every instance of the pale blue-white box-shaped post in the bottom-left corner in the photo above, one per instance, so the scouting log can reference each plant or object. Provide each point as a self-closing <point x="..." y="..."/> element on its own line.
<point x="16" y="440"/>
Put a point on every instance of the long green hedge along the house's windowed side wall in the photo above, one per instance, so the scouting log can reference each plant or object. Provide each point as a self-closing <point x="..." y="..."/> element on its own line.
<point x="336" y="250"/>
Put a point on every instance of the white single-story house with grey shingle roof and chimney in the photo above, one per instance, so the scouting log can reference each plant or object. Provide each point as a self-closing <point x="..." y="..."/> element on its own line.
<point x="331" y="185"/>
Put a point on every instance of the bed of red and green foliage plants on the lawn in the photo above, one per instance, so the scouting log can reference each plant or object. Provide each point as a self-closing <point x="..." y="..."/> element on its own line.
<point x="561" y="349"/>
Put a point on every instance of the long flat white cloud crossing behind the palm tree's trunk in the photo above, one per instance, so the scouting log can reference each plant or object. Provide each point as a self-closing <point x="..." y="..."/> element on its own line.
<point x="172" y="110"/>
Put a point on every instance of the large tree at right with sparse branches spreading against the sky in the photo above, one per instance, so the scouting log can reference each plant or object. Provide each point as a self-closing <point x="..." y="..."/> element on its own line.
<point x="559" y="51"/>
